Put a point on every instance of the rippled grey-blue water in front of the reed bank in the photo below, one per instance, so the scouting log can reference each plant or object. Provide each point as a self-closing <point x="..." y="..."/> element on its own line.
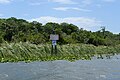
<point x="95" y="69"/>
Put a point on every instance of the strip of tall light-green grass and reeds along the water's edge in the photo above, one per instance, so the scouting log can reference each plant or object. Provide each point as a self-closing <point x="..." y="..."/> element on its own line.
<point x="14" y="52"/>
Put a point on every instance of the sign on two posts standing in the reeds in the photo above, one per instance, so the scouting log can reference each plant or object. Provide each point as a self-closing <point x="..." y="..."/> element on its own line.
<point x="54" y="38"/>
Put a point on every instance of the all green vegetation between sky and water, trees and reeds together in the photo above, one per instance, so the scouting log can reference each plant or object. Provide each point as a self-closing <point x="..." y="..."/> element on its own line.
<point x="21" y="40"/>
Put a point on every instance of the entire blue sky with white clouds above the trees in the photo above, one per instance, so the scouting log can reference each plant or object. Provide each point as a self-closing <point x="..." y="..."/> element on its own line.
<point x="86" y="14"/>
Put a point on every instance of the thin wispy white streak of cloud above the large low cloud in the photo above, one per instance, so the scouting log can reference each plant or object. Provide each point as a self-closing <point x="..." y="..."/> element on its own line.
<point x="71" y="8"/>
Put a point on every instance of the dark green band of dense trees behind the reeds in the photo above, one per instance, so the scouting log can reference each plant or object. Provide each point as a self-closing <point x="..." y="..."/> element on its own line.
<point x="16" y="30"/>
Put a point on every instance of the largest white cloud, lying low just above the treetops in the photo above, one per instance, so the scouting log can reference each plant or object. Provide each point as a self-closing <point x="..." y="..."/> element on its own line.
<point x="81" y="22"/>
